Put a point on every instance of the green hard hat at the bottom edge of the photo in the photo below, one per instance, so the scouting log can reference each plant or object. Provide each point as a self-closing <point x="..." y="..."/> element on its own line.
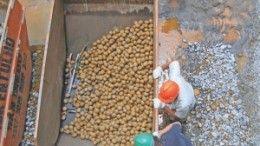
<point x="144" y="139"/>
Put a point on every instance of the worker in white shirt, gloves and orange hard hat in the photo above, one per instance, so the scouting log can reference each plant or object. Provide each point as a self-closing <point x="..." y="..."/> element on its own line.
<point x="176" y="95"/>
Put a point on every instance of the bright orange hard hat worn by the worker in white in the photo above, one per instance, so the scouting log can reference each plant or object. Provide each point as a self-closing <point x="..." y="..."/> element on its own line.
<point x="169" y="91"/>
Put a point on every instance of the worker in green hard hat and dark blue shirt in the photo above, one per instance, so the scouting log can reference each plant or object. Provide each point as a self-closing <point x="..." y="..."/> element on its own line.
<point x="169" y="136"/>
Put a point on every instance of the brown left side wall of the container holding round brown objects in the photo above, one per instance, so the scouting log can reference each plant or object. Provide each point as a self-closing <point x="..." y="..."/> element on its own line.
<point x="51" y="86"/>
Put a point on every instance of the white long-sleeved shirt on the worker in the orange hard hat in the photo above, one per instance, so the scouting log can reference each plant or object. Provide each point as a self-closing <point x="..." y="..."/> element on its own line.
<point x="186" y="100"/>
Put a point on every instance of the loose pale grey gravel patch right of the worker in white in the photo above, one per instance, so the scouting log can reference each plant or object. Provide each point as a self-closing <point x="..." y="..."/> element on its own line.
<point x="219" y="117"/>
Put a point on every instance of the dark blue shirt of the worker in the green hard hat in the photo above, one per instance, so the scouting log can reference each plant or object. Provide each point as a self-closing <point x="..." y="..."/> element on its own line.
<point x="174" y="137"/>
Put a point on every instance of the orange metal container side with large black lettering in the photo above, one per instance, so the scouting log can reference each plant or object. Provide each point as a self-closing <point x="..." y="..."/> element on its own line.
<point x="15" y="75"/>
